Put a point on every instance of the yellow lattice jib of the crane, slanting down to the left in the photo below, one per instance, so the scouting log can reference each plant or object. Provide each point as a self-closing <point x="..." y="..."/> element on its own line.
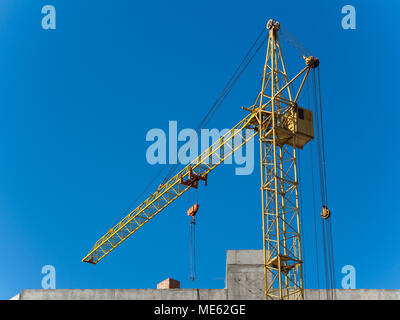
<point x="218" y="152"/>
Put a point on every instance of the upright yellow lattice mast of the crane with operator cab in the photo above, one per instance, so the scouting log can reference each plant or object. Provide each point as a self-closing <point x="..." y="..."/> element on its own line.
<point x="282" y="128"/>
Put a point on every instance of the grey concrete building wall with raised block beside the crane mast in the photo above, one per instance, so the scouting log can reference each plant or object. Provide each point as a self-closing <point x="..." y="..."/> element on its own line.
<point x="244" y="281"/>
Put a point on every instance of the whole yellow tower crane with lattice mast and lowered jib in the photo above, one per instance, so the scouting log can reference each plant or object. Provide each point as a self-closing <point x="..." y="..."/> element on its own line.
<point x="283" y="127"/>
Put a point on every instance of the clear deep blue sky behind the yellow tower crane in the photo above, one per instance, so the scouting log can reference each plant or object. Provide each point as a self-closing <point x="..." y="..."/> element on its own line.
<point x="76" y="103"/>
